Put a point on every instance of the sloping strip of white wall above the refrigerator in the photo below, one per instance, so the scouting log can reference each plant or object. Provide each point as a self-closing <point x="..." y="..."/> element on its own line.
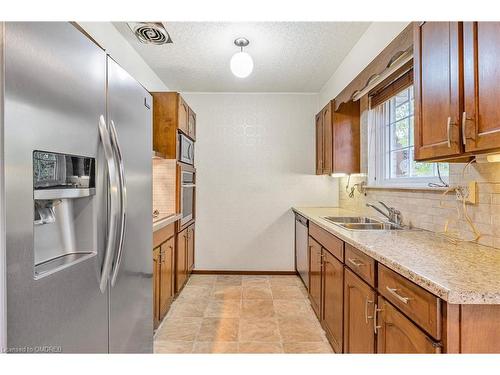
<point x="124" y="54"/>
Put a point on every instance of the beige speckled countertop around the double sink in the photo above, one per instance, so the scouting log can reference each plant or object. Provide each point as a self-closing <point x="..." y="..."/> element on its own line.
<point x="463" y="273"/>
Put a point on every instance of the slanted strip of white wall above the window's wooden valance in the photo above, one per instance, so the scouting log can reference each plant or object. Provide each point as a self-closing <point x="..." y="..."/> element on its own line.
<point x="372" y="42"/>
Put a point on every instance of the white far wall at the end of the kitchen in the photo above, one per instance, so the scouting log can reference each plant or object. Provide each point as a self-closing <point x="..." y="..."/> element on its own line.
<point x="255" y="160"/>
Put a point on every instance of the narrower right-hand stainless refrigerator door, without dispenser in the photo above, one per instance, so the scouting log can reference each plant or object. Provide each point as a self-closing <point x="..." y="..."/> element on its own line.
<point x="131" y="296"/>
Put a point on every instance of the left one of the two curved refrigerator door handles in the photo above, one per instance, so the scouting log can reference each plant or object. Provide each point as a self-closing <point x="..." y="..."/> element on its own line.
<point x="113" y="203"/>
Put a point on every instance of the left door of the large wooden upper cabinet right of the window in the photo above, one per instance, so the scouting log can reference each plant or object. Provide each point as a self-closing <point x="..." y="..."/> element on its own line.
<point x="438" y="90"/>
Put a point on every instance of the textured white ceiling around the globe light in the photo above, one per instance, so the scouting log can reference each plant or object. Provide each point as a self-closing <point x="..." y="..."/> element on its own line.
<point x="288" y="56"/>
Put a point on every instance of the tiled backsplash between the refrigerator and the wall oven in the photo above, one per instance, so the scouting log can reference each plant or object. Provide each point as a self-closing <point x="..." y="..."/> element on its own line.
<point x="164" y="178"/>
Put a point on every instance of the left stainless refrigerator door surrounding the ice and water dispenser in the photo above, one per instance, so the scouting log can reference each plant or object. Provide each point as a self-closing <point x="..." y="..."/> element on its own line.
<point x="54" y="94"/>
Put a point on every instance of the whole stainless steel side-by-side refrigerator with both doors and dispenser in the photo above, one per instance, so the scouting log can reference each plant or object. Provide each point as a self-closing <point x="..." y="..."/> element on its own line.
<point x="78" y="195"/>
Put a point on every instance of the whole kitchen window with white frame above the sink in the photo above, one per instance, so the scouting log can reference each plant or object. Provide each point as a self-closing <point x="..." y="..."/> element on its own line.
<point x="391" y="146"/>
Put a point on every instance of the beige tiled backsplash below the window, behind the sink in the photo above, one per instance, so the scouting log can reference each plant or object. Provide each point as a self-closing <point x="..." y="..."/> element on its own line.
<point x="424" y="209"/>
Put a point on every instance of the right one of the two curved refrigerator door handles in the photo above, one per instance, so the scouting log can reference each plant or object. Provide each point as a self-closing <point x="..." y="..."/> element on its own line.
<point x="123" y="202"/>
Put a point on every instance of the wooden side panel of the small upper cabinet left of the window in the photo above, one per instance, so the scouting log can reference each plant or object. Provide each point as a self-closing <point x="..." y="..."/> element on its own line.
<point x="346" y="138"/>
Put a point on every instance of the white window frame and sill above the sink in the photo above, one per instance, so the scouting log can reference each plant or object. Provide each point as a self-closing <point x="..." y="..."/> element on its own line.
<point x="379" y="153"/>
